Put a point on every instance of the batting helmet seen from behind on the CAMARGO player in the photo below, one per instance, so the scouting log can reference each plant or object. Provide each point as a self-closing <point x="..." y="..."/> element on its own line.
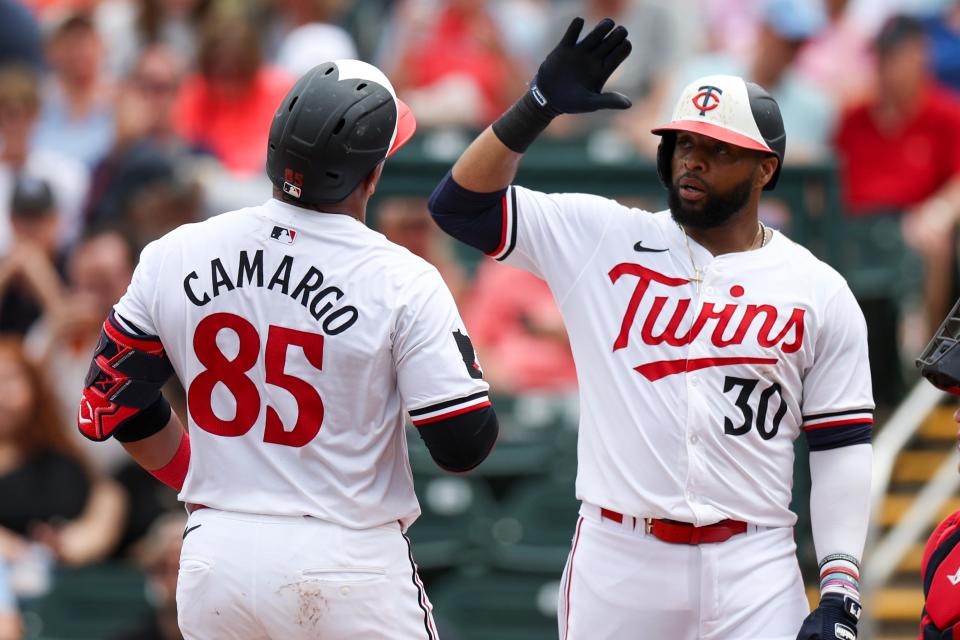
<point x="338" y="122"/>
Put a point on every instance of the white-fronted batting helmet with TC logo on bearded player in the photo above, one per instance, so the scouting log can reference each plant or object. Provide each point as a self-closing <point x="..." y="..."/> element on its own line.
<point x="726" y="108"/>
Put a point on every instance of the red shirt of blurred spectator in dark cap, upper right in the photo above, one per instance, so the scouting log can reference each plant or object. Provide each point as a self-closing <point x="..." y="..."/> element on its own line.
<point x="894" y="170"/>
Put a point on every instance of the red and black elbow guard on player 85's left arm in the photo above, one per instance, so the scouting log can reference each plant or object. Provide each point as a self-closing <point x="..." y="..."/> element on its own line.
<point x="122" y="387"/>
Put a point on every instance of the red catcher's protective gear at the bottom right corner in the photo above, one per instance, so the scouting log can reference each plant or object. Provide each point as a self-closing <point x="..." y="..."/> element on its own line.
<point x="940" y="571"/>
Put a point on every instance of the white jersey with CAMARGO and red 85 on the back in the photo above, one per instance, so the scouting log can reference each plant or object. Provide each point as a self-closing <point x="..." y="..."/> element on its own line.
<point x="300" y="338"/>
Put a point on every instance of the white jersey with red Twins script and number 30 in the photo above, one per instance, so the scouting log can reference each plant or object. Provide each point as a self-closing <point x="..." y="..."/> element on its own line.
<point x="691" y="398"/>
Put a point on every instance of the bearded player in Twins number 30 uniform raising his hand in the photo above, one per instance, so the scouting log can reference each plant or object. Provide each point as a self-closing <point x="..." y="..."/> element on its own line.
<point x="705" y="344"/>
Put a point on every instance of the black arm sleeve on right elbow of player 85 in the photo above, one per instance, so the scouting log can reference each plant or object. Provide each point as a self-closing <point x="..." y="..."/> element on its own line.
<point x="460" y="443"/>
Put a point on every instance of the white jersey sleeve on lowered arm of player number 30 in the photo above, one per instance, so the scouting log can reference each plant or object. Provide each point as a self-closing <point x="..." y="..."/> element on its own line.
<point x="837" y="394"/>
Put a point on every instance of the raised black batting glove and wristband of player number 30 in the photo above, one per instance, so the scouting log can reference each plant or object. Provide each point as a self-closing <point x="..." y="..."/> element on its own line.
<point x="570" y="80"/>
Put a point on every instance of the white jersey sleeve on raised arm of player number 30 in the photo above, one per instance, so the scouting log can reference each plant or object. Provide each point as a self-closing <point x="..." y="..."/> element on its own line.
<point x="552" y="235"/>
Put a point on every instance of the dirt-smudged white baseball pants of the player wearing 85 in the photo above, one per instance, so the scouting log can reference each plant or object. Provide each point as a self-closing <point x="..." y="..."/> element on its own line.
<point x="258" y="577"/>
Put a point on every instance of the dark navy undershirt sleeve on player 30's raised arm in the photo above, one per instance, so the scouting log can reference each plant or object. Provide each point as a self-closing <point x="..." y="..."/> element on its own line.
<point x="473" y="218"/>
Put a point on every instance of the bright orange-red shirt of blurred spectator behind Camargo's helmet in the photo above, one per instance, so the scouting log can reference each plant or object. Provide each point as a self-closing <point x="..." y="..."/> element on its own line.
<point x="233" y="127"/>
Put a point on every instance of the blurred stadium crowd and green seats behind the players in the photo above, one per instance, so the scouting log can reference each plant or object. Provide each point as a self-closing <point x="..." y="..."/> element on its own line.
<point x="122" y="119"/>
